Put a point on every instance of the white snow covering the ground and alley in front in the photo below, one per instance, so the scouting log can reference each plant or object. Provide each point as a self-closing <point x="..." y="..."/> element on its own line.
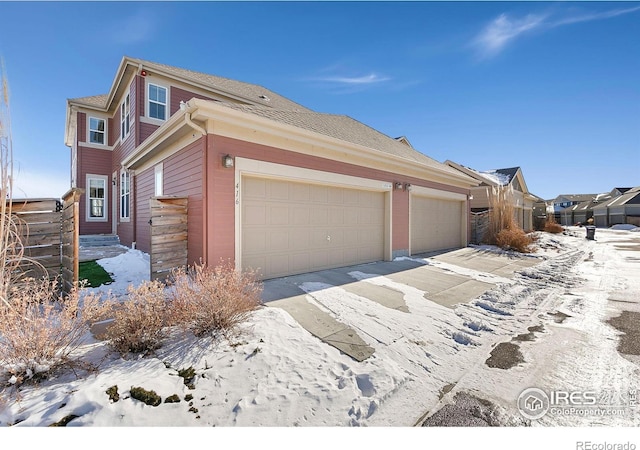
<point x="278" y="375"/>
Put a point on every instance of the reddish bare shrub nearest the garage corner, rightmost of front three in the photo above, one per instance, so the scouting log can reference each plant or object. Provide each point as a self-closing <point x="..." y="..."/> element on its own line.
<point x="211" y="300"/>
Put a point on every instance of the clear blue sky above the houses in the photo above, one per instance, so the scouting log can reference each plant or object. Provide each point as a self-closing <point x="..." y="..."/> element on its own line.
<point x="552" y="87"/>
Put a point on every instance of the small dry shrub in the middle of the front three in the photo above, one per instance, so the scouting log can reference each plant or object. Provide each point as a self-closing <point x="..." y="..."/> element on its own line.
<point x="139" y="320"/>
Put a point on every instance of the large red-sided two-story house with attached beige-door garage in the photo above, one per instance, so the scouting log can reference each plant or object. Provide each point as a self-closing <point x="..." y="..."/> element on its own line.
<point x="271" y="184"/>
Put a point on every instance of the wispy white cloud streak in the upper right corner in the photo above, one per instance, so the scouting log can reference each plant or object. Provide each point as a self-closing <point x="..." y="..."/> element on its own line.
<point x="504" y="29"/>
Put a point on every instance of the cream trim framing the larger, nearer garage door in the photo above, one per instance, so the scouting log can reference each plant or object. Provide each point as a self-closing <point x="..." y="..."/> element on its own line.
<point x="262" y="169"/>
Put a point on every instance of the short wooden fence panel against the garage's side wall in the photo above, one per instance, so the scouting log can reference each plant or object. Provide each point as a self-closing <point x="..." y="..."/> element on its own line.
<point x="168" y="235"/>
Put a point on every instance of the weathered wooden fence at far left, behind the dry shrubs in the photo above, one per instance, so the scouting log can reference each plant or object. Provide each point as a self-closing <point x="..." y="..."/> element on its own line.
<point x="49" y="234"/>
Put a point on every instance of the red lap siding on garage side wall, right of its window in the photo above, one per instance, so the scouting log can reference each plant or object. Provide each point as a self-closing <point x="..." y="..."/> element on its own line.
<point x="183" y="178"/>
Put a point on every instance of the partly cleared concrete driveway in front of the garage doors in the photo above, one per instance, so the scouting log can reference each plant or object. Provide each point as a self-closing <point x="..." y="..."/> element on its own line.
<point x="447" y="278"/>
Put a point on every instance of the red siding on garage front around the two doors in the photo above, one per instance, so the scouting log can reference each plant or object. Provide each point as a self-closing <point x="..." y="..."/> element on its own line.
<point x="221" y="191"/>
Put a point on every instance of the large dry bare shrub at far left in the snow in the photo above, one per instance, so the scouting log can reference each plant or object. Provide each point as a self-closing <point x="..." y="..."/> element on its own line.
<point x="39" y="330"/>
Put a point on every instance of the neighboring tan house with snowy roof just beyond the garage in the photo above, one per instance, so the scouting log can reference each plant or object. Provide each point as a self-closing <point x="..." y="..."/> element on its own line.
<point x="522" y="199"/>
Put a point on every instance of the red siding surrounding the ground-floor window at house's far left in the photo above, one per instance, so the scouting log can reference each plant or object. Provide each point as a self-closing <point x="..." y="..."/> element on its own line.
<point x="96" y="162"/>
